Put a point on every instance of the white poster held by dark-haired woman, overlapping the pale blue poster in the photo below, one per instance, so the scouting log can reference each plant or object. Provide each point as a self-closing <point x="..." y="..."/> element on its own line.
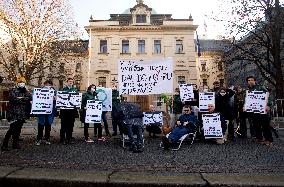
<point x="94" y="111"/>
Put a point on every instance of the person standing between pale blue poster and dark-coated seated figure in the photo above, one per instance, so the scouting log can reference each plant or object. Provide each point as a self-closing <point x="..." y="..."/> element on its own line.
<point x="115" y="103"/>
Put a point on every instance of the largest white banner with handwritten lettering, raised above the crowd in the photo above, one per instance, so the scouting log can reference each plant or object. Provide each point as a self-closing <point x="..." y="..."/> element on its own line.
<point x="138" y="77"/>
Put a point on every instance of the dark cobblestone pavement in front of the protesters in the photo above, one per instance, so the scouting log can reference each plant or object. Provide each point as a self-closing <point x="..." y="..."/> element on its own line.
<point x="239" y="157"/>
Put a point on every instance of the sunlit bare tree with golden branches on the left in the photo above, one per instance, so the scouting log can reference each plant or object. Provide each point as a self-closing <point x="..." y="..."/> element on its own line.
<point x="32" y="27"/>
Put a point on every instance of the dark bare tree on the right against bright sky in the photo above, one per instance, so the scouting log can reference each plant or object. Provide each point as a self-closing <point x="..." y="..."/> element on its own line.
<point x="257" y="25"/>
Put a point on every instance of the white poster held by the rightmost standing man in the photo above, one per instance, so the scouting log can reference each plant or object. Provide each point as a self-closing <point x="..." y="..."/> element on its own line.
<point x="256" y="101"/>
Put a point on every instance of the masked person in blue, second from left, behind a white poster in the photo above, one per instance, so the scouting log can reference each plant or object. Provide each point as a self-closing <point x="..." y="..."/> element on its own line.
<point x="45" y="120"/>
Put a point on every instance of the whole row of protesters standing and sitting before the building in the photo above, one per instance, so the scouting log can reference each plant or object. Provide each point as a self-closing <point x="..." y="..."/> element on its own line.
<point x="127" y="117"/>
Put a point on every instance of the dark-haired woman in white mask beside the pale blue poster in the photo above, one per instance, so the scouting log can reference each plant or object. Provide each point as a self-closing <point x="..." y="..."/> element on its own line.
<point x="90" y="95"/>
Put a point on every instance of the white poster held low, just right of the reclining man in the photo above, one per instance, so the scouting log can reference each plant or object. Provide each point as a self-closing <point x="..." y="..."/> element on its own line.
<point x="212" y="126"/>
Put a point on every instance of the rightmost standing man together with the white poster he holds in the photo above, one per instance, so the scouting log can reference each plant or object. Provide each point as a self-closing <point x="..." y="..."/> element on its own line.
<point x="260" y="120"/>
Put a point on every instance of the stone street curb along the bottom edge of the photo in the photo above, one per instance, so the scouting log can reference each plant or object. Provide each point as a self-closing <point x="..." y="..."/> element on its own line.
<point x="34" y="177"/>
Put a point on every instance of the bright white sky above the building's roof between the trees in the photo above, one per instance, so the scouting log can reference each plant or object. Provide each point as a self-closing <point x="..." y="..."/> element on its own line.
<point x="180" y="9"/>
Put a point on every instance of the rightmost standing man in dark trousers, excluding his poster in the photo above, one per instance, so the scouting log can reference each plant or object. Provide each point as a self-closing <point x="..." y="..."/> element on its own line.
<point x="260" y="121"/>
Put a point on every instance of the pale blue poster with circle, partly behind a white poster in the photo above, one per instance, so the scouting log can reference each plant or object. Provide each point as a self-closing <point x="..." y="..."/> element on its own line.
<point x="105" y="96"/>
